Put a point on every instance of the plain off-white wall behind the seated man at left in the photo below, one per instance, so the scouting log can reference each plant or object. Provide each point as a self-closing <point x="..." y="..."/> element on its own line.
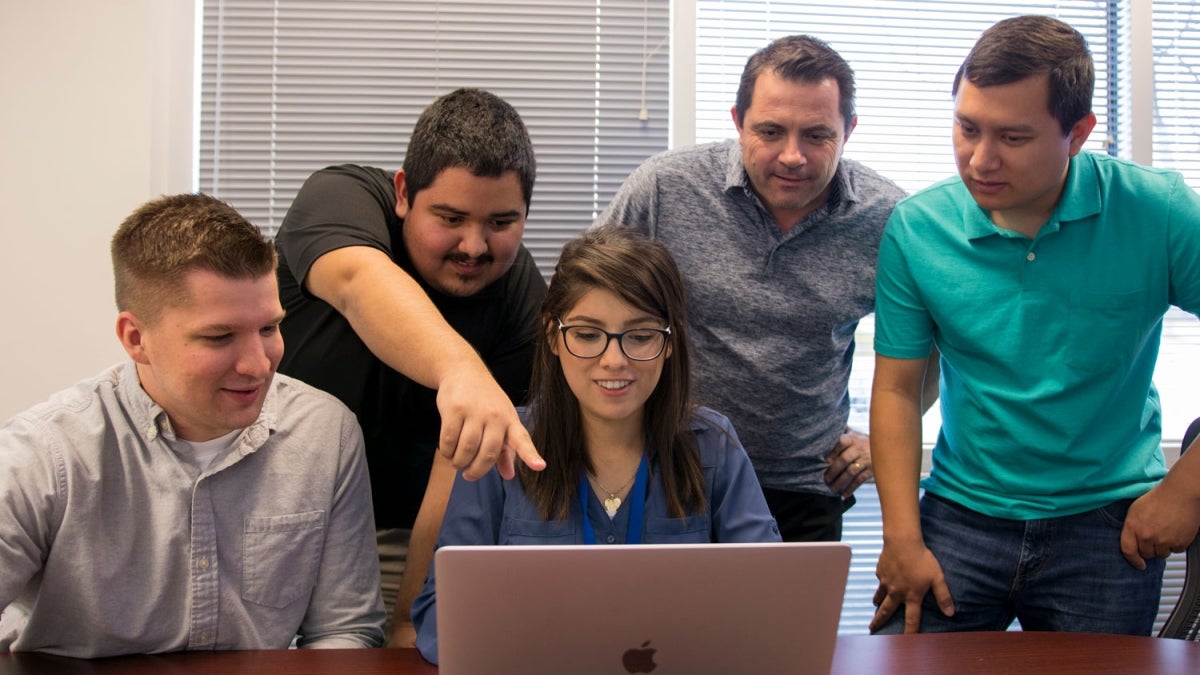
<point x="95" y="118"/>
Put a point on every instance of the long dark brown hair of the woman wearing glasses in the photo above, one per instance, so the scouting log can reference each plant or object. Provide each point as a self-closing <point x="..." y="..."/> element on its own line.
<point x="644" y="274"/>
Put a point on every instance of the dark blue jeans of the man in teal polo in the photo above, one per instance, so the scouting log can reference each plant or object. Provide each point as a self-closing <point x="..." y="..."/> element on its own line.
<point x="1052" y="575"/>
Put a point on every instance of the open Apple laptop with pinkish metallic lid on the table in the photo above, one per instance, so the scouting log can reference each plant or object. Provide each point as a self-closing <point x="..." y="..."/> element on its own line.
<point x="688" y="608"/>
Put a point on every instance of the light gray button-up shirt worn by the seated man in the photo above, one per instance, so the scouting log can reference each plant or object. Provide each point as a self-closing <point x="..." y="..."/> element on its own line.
<point x="111" y="542"/>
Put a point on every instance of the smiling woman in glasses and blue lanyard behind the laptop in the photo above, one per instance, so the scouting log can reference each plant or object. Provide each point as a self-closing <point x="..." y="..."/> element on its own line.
<point x="629" y="458"/>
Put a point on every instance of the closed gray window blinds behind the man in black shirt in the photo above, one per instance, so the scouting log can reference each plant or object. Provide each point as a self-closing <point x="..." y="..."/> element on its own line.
<point x="293" y="86"/>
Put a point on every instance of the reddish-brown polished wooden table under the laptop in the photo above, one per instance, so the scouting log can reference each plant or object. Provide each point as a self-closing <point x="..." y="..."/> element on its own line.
<point x="1015" y="653"/>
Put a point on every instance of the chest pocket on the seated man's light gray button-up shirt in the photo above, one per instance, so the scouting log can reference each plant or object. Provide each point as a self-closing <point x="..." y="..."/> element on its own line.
<point x="281" y="555"/>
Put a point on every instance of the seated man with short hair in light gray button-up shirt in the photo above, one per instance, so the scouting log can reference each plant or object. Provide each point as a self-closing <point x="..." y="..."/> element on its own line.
<point x="190" y="499"/>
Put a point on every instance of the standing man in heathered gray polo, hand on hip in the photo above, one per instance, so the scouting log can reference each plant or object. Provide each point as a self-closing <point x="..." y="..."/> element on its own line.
<point x="777" y="236"/>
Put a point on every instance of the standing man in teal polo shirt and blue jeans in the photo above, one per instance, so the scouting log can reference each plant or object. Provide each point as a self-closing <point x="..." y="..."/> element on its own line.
<point x="1042" y="274"/>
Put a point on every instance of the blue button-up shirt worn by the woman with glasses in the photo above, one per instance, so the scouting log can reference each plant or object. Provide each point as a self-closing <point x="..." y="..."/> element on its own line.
<point x="494" y="511"/>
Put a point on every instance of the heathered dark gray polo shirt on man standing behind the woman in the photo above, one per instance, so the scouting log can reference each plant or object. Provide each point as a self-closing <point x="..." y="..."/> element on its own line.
<point x="773" y="315"/>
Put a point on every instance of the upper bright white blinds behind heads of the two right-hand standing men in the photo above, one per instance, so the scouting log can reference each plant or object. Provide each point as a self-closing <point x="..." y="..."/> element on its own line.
<point x="904" y="55"/>
